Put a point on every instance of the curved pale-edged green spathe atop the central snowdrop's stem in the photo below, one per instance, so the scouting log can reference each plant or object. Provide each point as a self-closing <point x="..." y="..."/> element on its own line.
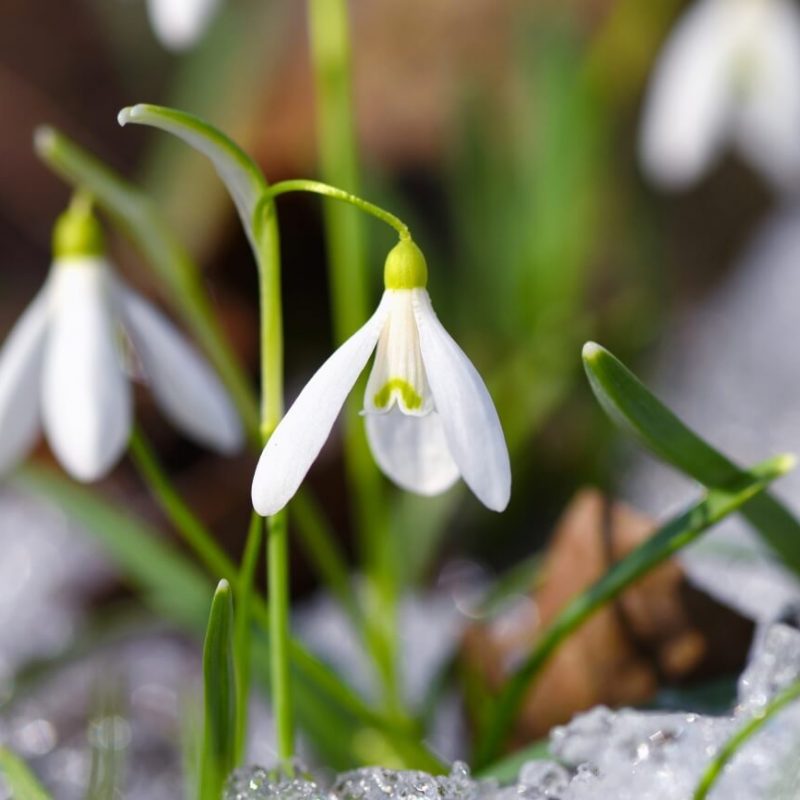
<point x="240" y="174"/>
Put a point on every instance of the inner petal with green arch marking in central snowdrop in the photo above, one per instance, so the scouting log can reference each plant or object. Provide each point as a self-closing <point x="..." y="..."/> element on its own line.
<point x="398" y="374"/>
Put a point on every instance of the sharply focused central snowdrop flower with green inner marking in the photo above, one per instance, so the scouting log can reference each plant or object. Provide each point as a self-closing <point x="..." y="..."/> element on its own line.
<point x="428" y="415"/>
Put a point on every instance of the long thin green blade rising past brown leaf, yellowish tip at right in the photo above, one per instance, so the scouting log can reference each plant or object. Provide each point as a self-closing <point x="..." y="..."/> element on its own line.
<point x="674" y="535"/>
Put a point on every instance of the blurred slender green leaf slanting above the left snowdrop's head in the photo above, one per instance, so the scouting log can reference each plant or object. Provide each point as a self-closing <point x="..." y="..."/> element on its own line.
<point x="143" y="223"/>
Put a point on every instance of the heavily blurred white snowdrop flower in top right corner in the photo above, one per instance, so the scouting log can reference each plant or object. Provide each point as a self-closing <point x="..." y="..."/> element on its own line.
<point x="728" y="74"/>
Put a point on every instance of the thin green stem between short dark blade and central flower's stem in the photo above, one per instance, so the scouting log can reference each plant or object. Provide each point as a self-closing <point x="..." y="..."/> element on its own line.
<point x="243" y="626"/>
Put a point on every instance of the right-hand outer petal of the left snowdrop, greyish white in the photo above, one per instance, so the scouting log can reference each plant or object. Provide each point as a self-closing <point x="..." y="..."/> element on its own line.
<point x="184" y="385"/>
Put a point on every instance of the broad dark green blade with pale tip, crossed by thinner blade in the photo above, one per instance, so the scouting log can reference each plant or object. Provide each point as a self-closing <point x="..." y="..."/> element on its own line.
<point x="629" y="403"/>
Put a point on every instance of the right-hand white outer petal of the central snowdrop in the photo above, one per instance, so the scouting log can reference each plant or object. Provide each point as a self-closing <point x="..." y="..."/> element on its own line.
<point x="471" y="426"/>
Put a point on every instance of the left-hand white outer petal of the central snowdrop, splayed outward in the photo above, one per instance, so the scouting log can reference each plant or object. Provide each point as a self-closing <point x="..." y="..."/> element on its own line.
<point x="299" y="437"/>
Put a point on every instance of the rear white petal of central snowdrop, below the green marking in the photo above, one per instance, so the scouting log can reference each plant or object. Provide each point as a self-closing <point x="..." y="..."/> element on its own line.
<point x="412" y="451"/>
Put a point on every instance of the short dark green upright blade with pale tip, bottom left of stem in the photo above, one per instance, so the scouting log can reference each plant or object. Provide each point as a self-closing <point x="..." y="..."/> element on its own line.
<point x="218" y="757"/>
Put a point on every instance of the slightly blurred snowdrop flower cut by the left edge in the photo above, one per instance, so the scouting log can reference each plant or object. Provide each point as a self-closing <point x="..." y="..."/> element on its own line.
<point x="61" y="367"/>
